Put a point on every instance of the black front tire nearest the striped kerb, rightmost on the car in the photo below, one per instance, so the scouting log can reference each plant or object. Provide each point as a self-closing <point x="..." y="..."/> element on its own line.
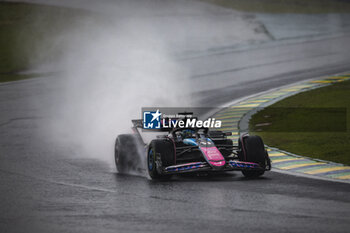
<point x="252" y="149"/>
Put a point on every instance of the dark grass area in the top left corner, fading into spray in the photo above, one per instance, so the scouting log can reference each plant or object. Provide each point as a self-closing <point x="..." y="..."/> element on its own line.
<point x="24" y="30"/>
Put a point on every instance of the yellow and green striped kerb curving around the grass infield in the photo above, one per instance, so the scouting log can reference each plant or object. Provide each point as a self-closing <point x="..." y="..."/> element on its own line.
<point x="236" y="117"/>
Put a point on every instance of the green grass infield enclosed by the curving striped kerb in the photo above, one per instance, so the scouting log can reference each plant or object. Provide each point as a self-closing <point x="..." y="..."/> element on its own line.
<point x="327" y="144"/>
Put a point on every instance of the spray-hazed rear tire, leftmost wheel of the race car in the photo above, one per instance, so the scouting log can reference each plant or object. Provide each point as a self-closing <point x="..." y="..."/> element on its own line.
<point x="127" y="153"/>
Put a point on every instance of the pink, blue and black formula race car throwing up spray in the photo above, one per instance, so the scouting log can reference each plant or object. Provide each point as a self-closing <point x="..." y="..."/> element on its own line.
<point x="184" y="150"/>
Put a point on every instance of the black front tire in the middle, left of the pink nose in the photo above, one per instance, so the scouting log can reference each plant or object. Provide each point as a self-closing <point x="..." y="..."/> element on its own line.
<point x="164" y="150"/>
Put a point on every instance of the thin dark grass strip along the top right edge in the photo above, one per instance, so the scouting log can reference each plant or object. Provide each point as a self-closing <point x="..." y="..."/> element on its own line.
<point x="286" y="6"/>
